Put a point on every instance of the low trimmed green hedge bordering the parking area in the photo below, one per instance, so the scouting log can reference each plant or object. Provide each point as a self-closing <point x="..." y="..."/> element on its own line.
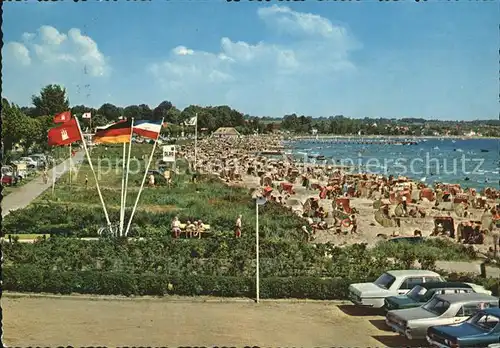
<point x="30" y="279"/>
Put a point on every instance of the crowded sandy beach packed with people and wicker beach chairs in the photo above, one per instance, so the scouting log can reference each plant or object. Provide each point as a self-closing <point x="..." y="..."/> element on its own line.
<point x="344" y="206"/>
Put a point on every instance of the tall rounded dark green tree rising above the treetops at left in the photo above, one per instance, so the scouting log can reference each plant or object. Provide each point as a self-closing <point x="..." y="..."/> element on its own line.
<point x="51" y="101"/>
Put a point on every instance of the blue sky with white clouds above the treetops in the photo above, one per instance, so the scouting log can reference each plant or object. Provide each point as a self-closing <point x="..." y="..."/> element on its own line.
<point x="434" y="60"/>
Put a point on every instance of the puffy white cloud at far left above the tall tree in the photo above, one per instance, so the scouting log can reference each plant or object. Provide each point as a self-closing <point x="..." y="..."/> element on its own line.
<point x="54" y="49"/>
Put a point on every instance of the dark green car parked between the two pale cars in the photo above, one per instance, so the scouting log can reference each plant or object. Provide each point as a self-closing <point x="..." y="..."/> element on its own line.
<point x="423" y="293"/>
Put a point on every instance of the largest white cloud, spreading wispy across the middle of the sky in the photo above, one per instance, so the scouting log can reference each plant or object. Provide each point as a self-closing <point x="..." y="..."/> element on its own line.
<point x="242" y="72"/>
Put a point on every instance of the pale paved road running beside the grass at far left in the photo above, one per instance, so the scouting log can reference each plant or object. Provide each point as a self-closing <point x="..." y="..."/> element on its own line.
<point x="25" y="194"/>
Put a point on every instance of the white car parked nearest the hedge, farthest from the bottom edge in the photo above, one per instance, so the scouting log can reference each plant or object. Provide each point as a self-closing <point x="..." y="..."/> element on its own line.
<point x="391" y="283"/>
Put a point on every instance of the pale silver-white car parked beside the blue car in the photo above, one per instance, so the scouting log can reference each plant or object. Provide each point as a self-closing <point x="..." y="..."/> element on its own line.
<point x="441" y="310"/>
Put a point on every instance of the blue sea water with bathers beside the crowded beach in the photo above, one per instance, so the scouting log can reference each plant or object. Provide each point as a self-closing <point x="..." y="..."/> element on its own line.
<point x="468" y="162"/>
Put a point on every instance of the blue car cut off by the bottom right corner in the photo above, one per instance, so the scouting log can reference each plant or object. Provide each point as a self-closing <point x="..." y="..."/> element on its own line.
<point x="480" y="330"/>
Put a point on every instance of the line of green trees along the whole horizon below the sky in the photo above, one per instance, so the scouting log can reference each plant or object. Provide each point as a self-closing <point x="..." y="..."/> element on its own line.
<point x="28" y="125"/>
